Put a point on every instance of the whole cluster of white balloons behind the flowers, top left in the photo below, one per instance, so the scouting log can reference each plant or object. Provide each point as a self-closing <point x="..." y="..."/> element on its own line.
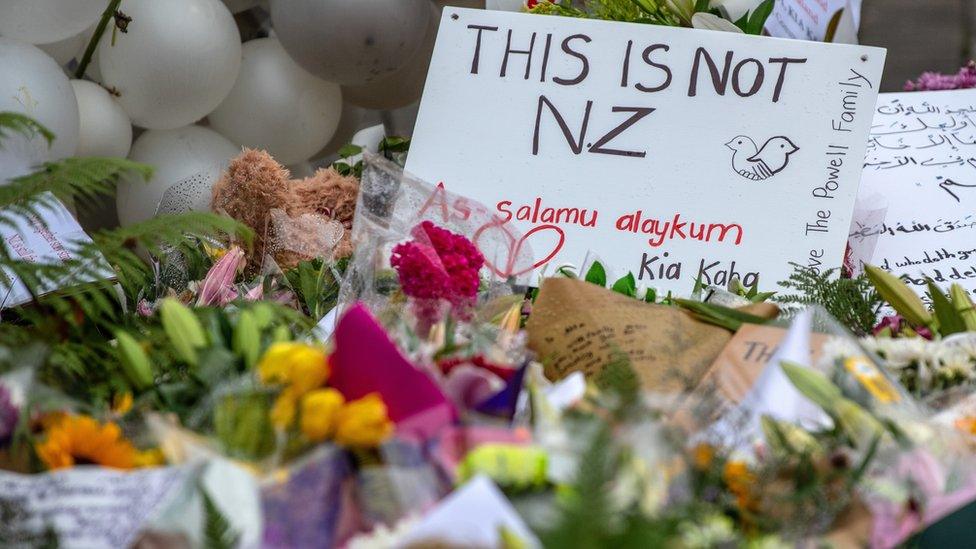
<point x="182" y="62"/>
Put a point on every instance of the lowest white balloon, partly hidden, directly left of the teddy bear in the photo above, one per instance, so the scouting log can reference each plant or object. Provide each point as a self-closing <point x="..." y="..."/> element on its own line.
<point x="176" y="155"/>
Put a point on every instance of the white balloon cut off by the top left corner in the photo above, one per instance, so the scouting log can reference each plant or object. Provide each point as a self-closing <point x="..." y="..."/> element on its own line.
<point x="46" y="21"/>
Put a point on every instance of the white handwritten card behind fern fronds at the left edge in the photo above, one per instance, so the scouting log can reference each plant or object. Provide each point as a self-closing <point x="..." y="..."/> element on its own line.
<point x="34" y="242"/>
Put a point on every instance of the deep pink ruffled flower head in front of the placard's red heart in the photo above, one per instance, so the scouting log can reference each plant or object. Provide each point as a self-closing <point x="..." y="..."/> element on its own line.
<point x="438" y="264"/>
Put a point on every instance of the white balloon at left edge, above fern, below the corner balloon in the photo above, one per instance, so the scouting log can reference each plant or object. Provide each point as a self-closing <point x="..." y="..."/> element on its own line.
<point x="33" y="84"/>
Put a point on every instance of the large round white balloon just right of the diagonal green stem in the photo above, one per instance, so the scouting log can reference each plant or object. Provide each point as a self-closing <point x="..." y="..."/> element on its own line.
<point x="178" y="61"/>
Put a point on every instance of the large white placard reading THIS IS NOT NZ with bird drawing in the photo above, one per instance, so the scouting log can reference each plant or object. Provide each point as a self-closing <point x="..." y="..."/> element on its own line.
<point x="671" y="153"/>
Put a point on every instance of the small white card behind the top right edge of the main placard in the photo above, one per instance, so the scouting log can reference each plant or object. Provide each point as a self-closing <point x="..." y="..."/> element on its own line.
<point x="810" y="19"/>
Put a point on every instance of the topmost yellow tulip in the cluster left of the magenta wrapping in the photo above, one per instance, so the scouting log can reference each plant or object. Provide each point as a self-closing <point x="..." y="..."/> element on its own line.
<point x="303" y="367"/>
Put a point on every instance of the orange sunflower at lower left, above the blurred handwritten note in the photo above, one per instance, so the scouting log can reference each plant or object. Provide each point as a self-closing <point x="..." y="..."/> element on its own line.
<point x="81" y="440"/>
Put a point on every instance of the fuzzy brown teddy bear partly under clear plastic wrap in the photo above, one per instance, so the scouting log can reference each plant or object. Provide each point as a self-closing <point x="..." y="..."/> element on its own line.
<point x="293" y="220"/>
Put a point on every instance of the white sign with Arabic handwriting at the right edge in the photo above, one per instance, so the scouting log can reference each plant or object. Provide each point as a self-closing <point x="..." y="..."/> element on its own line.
<point x="921" y="159"/>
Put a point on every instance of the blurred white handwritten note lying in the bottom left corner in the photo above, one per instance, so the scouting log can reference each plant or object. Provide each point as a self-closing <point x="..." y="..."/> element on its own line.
<point x="85" y="508"/>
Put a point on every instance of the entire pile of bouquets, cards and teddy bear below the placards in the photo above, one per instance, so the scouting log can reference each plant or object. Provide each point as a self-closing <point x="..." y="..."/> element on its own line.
<point x="388" y="385"/>
